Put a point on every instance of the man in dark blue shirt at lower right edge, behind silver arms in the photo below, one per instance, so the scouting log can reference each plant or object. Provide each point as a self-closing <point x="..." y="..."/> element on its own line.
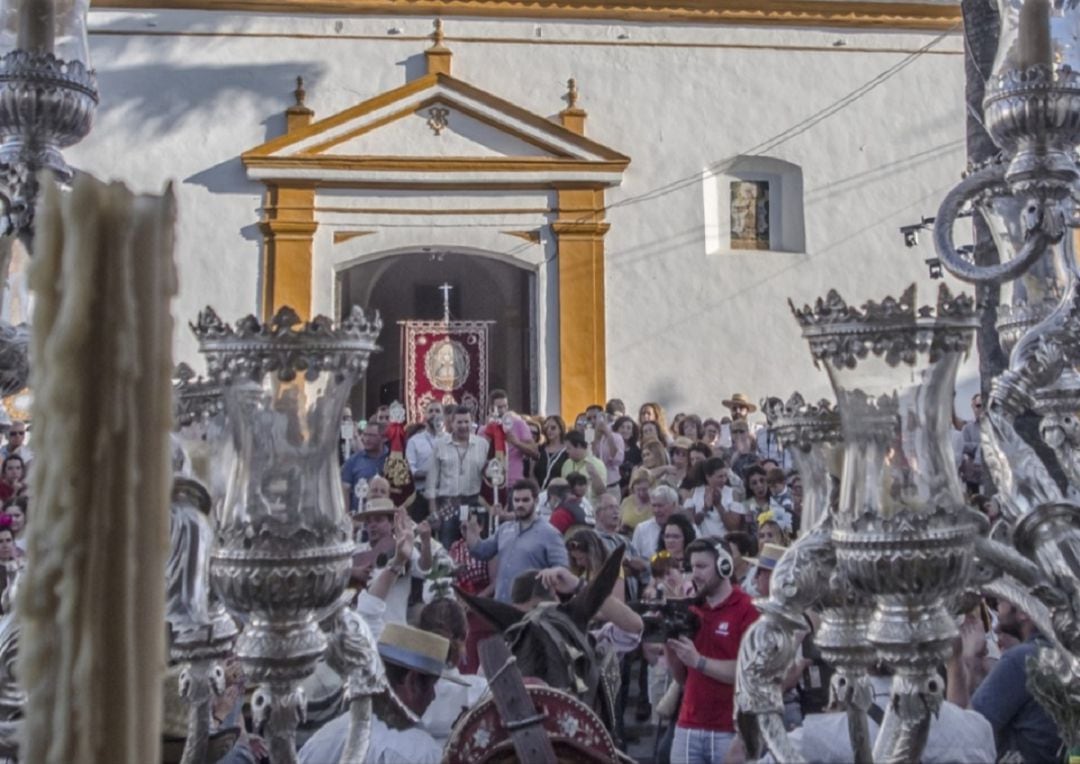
<point x="1021" y="726"/>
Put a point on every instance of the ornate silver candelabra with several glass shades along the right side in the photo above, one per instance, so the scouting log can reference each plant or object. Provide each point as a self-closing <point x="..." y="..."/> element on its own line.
<point x="899" y="551"/>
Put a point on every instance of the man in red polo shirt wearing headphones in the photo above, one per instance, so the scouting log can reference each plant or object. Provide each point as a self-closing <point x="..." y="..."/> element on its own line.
<point x="707" y="665"/>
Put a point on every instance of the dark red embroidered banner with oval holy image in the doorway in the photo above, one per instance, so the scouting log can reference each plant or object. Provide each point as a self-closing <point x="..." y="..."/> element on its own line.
<point x="445" y="361"/>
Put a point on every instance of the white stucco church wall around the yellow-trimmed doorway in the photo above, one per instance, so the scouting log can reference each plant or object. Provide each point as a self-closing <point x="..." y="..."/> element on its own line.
<point x="185" y="93"/>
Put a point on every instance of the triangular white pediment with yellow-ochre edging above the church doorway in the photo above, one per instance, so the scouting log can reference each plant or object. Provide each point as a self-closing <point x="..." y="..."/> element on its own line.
<point x="441" y="128"/>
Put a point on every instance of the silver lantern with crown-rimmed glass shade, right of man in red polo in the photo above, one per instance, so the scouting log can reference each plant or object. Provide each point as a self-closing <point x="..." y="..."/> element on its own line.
<point x="902" y="534"/>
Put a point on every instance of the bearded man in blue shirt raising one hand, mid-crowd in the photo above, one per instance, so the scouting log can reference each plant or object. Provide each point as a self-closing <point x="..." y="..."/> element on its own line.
<point x="525" y="544"/>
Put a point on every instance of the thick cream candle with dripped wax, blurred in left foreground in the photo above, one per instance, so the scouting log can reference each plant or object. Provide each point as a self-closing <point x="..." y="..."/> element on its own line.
<point x="92" y="601"/>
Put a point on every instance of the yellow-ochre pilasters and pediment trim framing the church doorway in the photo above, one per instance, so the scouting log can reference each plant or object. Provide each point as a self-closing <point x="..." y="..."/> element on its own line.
<point x="578" y="231"/>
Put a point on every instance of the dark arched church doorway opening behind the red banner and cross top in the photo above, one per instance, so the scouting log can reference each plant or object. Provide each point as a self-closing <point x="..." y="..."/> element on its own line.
<point x="406" y="286"/>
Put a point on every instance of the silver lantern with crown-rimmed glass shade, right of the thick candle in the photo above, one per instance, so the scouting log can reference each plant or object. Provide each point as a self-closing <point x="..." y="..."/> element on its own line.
<point x="283" y="540"/>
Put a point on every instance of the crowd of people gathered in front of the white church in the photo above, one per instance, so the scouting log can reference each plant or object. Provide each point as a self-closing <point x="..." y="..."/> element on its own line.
<point x="703" y="508"/>
